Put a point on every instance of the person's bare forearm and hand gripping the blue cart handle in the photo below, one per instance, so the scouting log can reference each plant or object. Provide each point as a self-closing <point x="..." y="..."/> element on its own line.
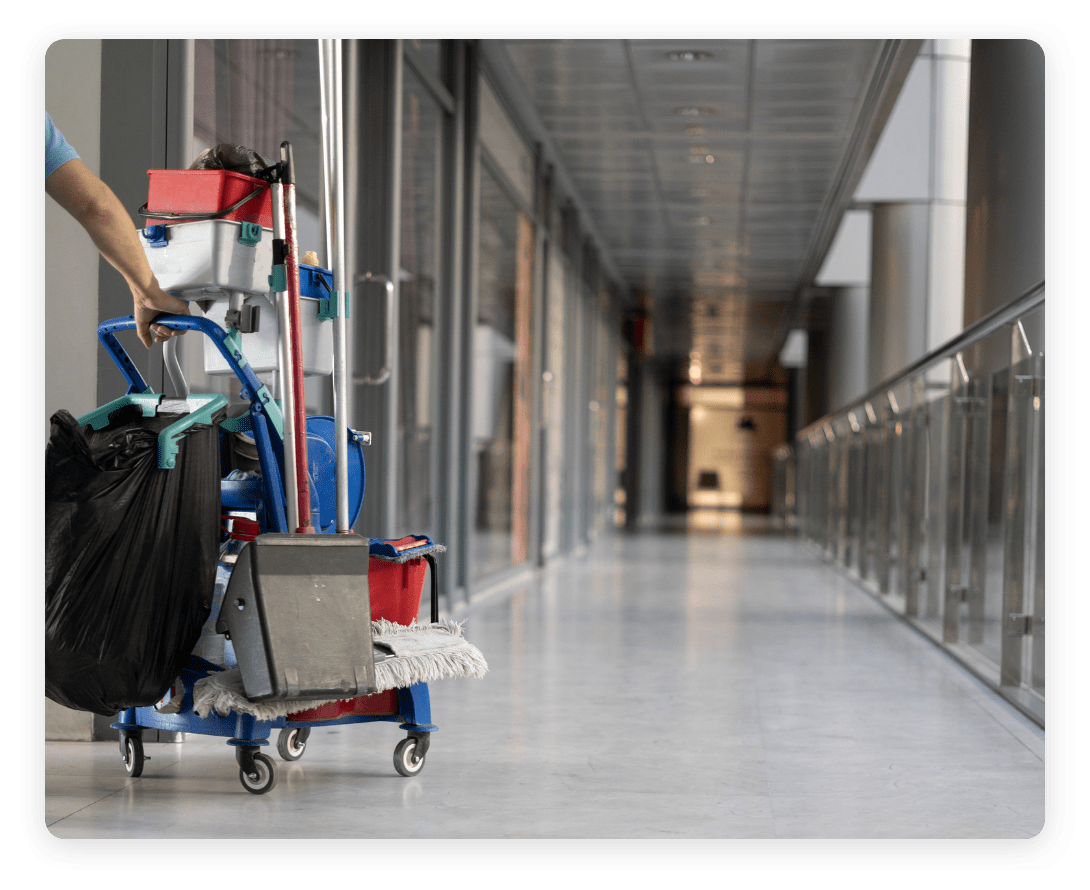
<point x="95" y="208"/>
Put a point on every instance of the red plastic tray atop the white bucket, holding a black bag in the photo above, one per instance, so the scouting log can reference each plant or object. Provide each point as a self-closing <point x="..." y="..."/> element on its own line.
<point x="208" y="192"/>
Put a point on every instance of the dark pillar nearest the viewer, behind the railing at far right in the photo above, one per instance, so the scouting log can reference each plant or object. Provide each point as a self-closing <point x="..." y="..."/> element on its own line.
<point x="1006" y="188"/>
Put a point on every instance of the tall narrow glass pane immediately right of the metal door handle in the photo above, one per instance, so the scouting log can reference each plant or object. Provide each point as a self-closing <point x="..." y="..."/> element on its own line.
<point x="421" y="189"/>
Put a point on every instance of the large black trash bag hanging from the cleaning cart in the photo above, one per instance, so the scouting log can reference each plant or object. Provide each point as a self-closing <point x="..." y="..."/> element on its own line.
<point x="131" y="557"/>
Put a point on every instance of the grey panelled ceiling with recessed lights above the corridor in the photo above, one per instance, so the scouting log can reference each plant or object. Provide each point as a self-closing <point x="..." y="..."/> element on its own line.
<point x="714" y="172"/>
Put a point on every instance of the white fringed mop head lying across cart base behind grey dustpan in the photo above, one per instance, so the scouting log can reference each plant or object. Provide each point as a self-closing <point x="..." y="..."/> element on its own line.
<point x="425" y="653"/>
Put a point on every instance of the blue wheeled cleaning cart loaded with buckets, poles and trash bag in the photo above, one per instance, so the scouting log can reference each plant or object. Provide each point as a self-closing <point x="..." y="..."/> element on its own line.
<point x="309" y="625"/>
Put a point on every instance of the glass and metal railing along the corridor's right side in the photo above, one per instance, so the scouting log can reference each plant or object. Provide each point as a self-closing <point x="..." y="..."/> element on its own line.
<point x="930" y="492"/>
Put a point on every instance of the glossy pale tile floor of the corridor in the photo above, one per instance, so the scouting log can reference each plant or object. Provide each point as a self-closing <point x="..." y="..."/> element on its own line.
<point x="663" y="686"/>
